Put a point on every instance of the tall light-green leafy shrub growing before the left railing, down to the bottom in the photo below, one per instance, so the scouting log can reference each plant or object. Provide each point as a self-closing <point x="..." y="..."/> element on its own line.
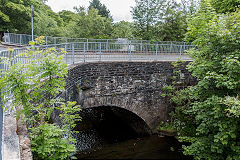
<point x="35" y="87"/>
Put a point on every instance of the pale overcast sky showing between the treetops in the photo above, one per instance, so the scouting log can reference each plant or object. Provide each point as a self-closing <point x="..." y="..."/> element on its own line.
<point x="119" y="9"/>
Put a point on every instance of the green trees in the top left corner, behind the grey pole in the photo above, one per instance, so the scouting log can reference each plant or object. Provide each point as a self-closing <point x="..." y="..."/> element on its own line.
<point x="15" y="16"/>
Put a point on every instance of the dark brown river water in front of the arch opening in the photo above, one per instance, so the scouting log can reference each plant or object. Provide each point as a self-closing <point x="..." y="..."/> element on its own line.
<point x="150" y="147"/>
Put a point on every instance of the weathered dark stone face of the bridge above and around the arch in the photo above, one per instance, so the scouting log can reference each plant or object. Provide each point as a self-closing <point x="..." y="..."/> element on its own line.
<point x="133" y="86"/>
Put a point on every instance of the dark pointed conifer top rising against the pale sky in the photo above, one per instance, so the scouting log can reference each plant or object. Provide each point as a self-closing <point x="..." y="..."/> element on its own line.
<point x="102" y="9"/>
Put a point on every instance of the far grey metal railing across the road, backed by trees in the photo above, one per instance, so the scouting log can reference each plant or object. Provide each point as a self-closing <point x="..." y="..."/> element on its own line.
<point x="23" y="39"/>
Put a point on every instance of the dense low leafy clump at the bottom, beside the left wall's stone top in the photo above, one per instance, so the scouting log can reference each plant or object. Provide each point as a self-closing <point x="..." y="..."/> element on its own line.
<point x="48" y="142"/>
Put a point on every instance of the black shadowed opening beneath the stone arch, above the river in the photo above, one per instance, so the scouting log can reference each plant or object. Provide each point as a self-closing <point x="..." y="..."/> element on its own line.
<point x="102" y="125"/>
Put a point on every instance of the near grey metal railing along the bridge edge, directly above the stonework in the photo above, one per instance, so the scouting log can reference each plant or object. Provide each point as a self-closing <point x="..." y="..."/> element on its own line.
<point x="102" y="51"/>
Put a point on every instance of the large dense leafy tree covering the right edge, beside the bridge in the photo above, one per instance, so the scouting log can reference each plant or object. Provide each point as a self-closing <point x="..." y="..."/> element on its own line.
<point x="207" y="114"/>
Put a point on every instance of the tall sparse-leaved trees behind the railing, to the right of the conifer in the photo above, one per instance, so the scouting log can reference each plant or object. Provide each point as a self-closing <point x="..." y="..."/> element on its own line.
<point x="161" y="20"/>
